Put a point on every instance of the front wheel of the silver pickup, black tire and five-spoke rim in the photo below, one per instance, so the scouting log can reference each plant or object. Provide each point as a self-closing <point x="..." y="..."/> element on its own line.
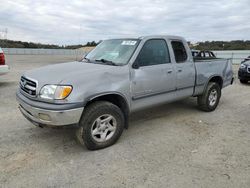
<point x="101" y="125"/>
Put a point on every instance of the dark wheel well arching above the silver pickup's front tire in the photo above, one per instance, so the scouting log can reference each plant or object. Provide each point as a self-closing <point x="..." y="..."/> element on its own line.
<point x="116" y="100"/>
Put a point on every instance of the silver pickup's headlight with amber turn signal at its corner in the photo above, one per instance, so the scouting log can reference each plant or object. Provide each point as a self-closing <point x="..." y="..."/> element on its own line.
<point x="55" y="92"/>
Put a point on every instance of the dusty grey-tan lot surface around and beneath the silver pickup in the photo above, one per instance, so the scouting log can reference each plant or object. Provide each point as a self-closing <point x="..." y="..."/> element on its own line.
<point x="174" y="145"/>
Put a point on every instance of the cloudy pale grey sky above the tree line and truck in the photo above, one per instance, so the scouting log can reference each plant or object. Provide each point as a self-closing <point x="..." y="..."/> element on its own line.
<point x="66" y="22"/>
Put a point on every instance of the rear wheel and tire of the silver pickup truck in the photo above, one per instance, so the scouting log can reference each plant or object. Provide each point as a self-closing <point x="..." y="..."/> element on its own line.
<point x="209" y="100"/>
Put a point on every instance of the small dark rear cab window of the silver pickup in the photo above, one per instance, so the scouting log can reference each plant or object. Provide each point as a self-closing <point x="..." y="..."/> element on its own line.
<point x="180" y="52"/>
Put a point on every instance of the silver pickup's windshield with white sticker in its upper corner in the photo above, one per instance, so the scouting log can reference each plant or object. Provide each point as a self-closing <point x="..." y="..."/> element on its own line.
<point x="117" y="51"/>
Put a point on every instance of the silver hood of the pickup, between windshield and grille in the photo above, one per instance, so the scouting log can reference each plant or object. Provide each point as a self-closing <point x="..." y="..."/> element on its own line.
<point x="66" y="72"/>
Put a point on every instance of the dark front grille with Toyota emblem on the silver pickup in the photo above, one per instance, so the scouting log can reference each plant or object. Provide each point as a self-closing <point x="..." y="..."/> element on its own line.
<point x="28" y="86"/>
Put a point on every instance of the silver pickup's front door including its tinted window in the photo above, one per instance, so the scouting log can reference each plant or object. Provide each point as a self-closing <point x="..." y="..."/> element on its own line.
<point x="155" y="74"/>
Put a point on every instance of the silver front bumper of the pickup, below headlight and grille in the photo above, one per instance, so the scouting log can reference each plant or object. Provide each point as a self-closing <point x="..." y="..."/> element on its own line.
<point x="48" y="117"/>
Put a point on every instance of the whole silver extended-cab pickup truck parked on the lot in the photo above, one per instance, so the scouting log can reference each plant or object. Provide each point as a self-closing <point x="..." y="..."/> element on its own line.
<point x="118" y="77"/>
